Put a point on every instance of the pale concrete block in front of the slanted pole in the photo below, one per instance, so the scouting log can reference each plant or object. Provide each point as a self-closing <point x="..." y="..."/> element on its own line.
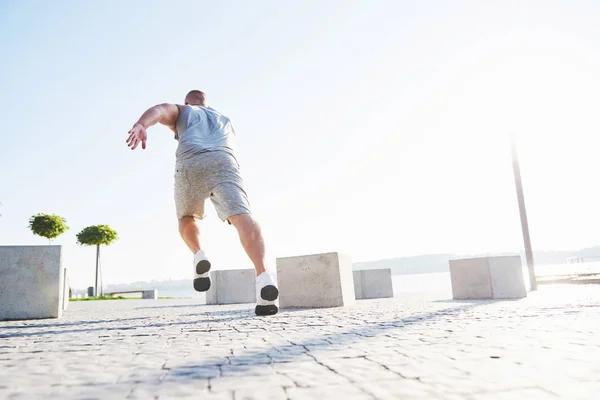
<point x="487" y="278"/>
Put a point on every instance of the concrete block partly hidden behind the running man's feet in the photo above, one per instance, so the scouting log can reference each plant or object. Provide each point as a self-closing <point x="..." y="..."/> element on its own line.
<point x="233" y="286"/>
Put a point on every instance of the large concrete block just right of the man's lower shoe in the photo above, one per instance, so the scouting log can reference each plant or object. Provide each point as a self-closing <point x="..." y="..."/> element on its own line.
<point x="317" y="280"/>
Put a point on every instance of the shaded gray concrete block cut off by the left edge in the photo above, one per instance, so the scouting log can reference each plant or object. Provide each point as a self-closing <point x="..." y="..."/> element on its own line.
<point x="31" y="282"/>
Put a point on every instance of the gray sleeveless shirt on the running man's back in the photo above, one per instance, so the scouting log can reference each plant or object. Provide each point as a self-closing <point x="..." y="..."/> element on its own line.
<point x="202" y="129"/>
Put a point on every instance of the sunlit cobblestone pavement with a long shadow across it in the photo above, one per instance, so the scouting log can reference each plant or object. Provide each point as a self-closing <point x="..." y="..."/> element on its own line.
<point x="546" y="346"/>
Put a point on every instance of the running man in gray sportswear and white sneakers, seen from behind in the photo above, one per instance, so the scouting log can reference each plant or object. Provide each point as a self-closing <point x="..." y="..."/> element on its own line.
<point x="206" y="167"/>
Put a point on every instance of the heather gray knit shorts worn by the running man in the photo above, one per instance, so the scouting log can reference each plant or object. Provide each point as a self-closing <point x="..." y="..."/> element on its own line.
<point x="215" y="175"/>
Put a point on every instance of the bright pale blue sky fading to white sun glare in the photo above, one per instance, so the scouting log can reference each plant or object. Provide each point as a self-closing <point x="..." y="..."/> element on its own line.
<point x="374" y="128"/>
